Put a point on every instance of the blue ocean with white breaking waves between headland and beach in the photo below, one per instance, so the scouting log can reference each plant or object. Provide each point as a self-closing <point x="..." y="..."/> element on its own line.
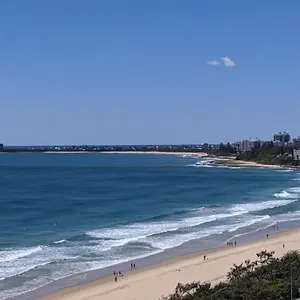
<point x="63" y="214"/>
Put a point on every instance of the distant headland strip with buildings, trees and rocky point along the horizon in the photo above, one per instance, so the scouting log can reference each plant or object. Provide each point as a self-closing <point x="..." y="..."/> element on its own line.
<point x="282" y="151"/>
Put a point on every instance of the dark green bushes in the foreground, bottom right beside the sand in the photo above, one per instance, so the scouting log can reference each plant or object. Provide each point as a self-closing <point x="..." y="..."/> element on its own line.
<point x="267" y="278"/>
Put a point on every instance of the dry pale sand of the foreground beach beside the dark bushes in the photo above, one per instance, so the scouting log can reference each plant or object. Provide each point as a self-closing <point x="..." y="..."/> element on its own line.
<point x="151" y="283"/>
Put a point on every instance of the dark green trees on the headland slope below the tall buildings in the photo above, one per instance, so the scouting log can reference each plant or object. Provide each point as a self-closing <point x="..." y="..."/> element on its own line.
<point x="270" y="154"/>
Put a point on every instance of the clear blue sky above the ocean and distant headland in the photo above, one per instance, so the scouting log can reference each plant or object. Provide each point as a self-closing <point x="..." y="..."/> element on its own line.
<point x="137" y="72"/>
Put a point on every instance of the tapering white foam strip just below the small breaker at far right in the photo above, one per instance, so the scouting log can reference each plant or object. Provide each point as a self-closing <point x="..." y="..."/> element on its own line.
<point x="258" y="206"/>
